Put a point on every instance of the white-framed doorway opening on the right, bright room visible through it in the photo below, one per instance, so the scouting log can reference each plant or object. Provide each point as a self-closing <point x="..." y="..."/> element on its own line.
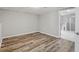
<point x="67" y="24"/>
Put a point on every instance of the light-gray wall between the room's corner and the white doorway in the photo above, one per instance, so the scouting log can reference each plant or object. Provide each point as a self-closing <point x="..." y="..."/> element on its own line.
<point x="49" y="23"/>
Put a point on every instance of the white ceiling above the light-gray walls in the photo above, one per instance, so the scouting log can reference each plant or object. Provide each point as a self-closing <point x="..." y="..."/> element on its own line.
<point x="34" y="10"/>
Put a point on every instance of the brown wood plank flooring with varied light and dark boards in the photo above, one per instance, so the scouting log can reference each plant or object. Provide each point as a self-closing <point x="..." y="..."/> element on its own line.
<point x="36" y="42"/>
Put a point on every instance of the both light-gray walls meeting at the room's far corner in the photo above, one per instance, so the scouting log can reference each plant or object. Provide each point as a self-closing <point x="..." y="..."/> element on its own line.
<point x="14" y="23"/>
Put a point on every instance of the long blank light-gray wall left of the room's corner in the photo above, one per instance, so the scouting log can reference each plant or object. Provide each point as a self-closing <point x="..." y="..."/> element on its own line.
<point x="14" y="23"/>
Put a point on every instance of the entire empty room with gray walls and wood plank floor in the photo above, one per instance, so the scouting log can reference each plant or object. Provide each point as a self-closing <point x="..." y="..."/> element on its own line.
<point x="39" y="29"/>
